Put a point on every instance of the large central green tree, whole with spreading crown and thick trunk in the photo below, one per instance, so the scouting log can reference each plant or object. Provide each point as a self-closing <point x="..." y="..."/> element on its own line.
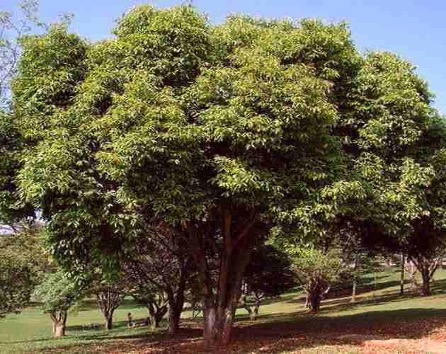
<point x="213" y="129"/>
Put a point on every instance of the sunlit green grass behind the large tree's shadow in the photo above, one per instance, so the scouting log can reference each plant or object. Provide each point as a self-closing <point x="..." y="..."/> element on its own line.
<point x="378" y="300"/>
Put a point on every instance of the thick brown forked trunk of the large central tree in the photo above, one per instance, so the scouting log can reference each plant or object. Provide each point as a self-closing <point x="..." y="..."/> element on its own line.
<point x="221" y="287"/>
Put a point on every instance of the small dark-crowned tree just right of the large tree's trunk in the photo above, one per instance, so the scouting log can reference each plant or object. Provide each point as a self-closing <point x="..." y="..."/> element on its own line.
<point x="268" y="274"/>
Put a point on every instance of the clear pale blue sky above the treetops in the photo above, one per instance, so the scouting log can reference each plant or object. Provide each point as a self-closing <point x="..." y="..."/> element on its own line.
<point x="415" y="29"/>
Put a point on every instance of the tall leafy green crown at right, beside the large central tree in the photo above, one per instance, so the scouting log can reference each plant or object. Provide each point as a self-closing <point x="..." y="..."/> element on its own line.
<point x="392" y="143"/>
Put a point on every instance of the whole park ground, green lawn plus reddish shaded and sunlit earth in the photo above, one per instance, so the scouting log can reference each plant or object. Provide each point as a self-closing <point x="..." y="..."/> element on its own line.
<point x="380" y="321"/>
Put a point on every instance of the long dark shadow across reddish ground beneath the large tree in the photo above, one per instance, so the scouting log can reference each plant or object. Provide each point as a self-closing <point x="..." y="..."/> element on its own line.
<point x="283" y="332"/>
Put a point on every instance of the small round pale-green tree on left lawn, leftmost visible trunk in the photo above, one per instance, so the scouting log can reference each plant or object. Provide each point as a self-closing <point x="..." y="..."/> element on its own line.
<point x="57" y="294"/>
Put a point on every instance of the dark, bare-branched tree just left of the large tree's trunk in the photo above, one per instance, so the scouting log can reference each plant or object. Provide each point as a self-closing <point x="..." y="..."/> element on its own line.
<point x="159" y="260"/>
